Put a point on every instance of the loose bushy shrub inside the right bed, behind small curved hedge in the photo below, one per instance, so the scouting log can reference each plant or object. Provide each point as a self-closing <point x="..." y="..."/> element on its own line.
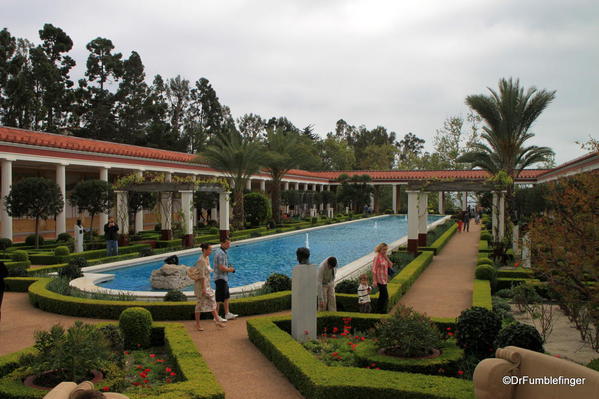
<point x="407" y="334"/>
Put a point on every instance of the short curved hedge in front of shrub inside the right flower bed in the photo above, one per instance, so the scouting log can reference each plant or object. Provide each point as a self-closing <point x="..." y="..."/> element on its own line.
<point x="445" y="364"/>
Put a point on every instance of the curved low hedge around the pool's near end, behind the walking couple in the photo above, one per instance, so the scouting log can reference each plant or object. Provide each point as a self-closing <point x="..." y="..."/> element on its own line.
<point x="49" y="301"/>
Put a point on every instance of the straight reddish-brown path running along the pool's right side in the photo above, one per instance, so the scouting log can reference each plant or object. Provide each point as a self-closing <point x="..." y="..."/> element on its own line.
<point x="444" y="289"/>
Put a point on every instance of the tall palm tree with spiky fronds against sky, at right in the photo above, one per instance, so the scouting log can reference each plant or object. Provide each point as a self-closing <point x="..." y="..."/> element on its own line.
<point x="508" y="116"/>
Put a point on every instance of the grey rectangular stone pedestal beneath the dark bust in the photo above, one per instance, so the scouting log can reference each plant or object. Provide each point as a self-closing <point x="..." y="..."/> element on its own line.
<point x="303" y="302"/>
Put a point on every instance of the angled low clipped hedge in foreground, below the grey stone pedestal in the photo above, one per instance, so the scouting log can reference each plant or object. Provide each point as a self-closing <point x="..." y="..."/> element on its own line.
<point x="316" y="380"/>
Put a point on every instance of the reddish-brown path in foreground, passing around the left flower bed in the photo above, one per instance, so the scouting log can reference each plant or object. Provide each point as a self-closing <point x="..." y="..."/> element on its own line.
<point x="238" y="365"/>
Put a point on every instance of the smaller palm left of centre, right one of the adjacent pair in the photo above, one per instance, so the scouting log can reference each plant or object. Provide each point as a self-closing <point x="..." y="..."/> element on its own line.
<point x="283" y="152"/>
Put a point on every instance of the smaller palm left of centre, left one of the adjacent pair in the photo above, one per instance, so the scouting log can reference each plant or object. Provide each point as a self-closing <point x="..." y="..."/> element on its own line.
<point x="238" y="159"/>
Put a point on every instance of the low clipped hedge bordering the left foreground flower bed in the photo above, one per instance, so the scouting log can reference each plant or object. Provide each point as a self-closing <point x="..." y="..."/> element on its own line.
<point x="199" y="382"/>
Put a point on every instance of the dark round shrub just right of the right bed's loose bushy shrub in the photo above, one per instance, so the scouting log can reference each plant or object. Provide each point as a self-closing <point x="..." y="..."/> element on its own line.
<point x="476" y="330"/>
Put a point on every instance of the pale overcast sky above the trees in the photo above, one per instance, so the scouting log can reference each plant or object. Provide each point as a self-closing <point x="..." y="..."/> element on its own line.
<point x="403" y="65"/>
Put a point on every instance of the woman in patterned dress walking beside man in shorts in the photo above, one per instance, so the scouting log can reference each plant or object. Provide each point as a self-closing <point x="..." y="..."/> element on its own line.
<point x="206" y="301"/>
